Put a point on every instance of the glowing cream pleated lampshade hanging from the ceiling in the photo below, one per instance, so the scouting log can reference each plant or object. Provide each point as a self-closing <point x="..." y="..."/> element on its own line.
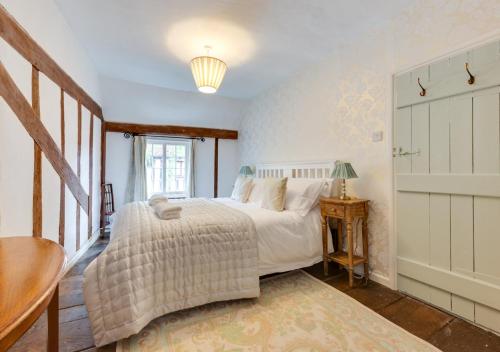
<point x="208" y="73"/>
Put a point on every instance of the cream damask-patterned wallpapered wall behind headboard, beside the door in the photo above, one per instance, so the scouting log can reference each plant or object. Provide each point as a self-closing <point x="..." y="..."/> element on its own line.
<point x="331" y="110"/>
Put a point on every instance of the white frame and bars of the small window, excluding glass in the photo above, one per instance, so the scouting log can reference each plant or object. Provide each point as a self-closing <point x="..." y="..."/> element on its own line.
<point x="187" y="174"/>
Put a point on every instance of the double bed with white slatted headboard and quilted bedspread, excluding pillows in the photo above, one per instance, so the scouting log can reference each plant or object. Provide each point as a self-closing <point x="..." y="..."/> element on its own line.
<point x="215" y="252"/>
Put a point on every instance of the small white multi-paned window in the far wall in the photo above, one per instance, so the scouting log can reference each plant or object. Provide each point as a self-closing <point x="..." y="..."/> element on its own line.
<point x="168" y="164"/>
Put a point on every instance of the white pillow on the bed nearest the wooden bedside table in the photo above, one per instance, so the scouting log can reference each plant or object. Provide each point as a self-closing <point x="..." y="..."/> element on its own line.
<point x="303" y="194"/>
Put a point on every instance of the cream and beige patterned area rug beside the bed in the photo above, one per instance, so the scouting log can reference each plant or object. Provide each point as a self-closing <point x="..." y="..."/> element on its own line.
<point x="295" y="313"/>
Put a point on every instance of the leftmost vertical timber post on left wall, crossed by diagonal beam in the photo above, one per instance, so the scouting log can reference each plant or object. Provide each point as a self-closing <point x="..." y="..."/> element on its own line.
<point x="37" y="160"/>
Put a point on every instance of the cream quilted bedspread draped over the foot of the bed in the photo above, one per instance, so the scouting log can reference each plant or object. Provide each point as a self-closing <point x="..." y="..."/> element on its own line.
<point x="152" y="267"/>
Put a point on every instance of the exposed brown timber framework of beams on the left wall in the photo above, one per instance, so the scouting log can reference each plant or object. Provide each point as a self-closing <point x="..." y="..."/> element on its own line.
<point x="29" y="116"/>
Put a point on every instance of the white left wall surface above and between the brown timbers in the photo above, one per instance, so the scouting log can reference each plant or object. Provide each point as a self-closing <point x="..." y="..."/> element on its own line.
<point x="44" y="22"/>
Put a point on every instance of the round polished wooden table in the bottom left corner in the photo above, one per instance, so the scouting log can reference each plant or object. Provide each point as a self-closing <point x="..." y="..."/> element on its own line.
<point x="30" y="270"/>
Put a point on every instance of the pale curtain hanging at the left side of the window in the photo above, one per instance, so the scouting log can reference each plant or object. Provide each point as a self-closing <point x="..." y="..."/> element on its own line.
<point x="137" y="185"/>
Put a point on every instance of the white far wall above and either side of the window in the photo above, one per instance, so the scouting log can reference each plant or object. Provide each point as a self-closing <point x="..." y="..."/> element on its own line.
<point x="137" y="103"/>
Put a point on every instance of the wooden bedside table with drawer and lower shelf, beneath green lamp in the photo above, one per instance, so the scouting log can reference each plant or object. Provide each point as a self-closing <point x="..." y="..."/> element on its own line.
<point x="345" y="211"/>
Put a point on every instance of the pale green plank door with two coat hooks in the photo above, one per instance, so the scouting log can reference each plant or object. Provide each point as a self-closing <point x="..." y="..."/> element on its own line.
<point x="447" y="185"/>
